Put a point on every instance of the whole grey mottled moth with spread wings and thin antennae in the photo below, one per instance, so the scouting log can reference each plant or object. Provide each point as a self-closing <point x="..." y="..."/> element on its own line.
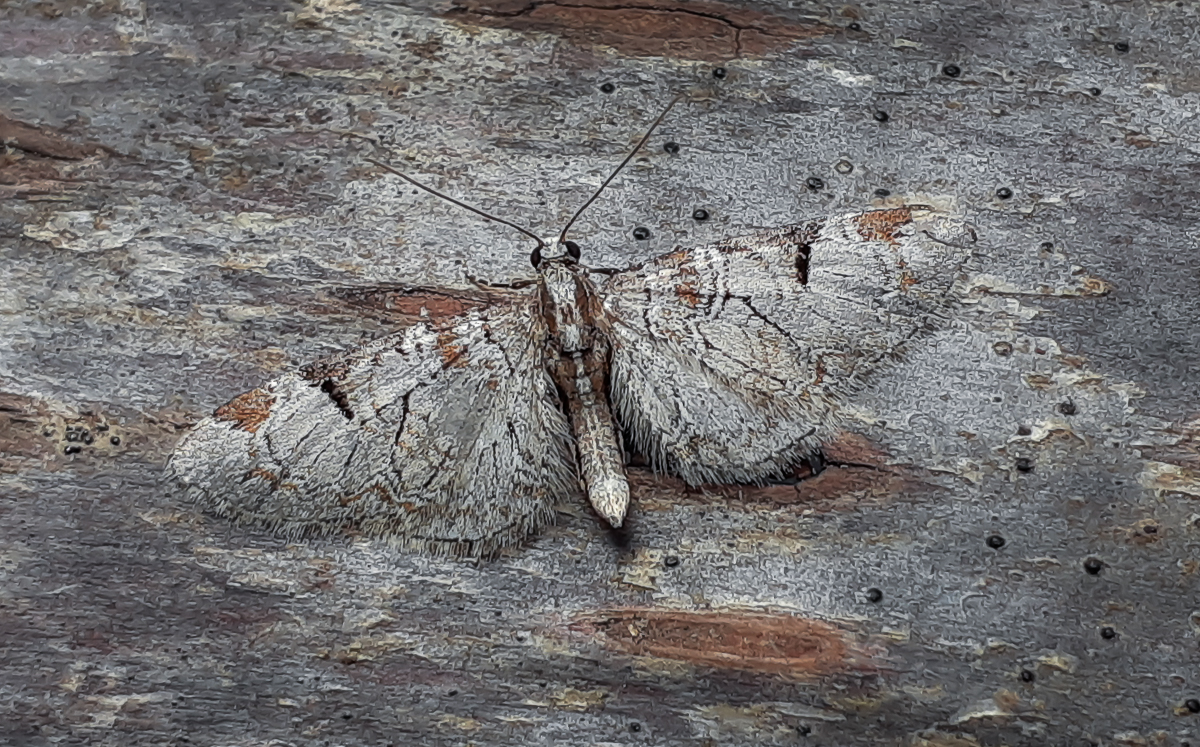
<point x="459" y="433"/>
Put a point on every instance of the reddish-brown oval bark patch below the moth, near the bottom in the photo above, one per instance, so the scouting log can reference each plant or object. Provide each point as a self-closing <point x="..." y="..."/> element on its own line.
<point x="753" y="642"/>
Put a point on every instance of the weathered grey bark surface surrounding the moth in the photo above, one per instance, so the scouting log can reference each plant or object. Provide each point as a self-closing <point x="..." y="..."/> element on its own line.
<point x="188" y="212"/>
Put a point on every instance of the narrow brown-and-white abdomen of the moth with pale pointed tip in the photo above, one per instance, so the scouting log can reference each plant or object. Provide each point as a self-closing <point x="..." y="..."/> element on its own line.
<point x="581" y="377"/>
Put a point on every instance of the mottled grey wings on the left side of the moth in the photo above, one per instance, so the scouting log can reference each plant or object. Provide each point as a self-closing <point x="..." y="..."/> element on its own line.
<point x="446" y="437"/>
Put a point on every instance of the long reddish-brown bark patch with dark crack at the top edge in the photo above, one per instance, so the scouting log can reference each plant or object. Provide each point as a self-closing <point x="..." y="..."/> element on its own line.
<point x="706" y="32"/>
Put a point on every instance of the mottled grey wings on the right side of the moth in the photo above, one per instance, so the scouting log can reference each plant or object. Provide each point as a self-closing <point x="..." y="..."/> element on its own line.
<point x="729" y="360"/>
